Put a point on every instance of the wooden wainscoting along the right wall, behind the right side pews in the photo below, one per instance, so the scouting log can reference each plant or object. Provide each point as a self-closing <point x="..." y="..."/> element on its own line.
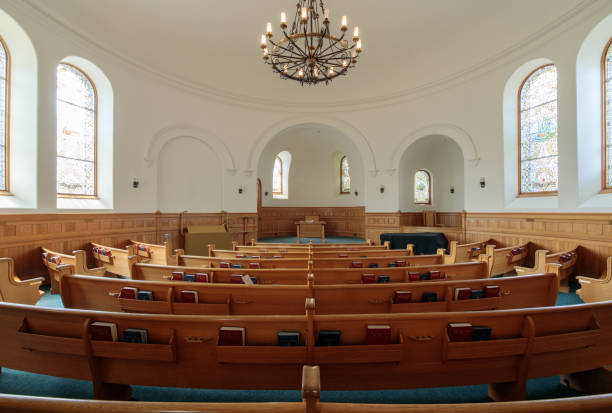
<point x="551" y="231"/>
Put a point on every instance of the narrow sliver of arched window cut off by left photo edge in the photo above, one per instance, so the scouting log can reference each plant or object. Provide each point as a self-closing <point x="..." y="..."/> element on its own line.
<point x="4" y="117"/>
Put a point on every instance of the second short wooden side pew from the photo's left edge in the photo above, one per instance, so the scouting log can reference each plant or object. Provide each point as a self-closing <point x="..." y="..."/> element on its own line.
<point x="59" y="264"/>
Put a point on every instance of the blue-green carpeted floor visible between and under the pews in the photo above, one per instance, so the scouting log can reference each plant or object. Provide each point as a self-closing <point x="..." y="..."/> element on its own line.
<point x="17" y="382"/>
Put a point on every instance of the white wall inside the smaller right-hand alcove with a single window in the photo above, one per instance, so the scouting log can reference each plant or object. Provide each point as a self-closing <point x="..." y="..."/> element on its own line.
<point x="442" y="158"/>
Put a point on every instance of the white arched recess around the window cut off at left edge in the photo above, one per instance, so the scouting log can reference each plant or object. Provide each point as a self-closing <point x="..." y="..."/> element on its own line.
<point x="23" y="116"/>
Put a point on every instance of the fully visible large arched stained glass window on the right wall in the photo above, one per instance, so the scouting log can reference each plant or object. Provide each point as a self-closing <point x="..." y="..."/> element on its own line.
<point x="539" y="156"/>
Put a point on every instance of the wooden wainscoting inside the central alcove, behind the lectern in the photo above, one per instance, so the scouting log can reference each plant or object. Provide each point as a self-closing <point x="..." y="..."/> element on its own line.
<point x="340" y="221"/>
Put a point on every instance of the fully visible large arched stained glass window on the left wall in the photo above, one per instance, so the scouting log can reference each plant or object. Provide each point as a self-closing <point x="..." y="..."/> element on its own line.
<point x="76" y="133"/>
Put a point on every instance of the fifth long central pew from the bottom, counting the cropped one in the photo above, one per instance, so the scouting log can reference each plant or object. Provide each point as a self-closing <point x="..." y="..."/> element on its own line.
<point x="214" y="262"/>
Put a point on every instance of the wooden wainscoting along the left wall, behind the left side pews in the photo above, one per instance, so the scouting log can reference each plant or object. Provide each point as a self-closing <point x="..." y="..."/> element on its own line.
<point x="21" y="236"/>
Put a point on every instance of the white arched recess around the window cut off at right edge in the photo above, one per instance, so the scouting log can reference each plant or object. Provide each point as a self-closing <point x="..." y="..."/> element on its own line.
<point x="588" y="116"/>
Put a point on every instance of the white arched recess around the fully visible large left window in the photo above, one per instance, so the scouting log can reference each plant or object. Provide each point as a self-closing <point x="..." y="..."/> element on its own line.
<point x="105" y="138"/>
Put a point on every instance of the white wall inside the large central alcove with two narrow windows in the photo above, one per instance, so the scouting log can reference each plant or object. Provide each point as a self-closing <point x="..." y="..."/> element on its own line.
<point x="314" y="175"/>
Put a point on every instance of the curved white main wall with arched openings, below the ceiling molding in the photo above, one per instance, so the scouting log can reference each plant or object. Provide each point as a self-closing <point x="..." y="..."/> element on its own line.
<point x="468" y="109"/>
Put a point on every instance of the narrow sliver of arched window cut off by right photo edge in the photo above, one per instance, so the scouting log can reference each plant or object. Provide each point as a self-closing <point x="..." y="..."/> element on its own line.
<point x="607" y="117"/>
